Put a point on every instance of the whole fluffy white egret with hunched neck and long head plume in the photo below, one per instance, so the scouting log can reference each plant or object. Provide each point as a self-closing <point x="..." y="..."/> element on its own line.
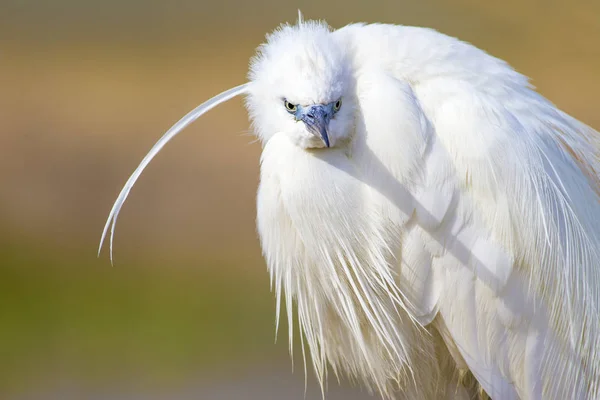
<point x="429" y="221"/>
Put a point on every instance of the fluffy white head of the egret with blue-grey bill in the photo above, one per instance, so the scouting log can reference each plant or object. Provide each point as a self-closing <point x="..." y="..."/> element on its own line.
<point x="301" y="86"/>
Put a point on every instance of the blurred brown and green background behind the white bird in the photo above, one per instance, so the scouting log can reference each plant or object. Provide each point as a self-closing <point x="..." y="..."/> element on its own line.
<point x="86" y="88"/>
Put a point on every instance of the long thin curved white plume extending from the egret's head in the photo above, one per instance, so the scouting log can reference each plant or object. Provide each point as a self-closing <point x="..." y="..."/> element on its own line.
<point x="174" y="130"/>
